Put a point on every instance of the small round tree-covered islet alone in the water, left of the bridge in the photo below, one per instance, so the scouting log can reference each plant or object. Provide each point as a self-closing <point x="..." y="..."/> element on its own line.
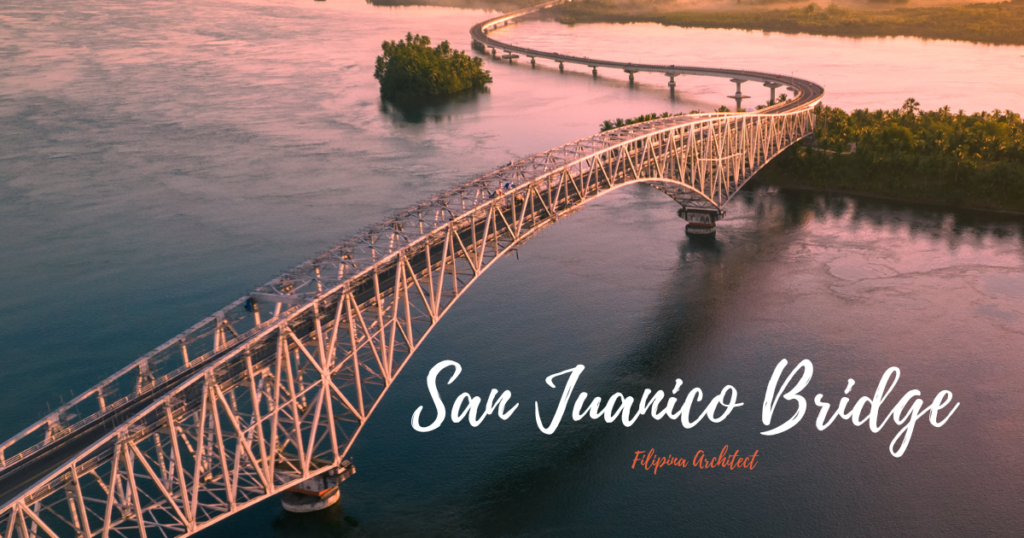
<point x="412" y="70"/>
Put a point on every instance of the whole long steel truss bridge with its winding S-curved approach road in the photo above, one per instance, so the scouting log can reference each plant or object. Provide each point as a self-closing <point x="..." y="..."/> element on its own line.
<point x="273" y="391"/>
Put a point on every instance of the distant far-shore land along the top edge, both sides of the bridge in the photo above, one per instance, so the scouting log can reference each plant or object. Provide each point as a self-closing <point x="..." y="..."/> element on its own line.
<point x="994" y="23"/>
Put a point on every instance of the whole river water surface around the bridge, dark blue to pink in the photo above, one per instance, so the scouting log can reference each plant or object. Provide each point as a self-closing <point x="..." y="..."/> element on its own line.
<point x="160" y="159"/>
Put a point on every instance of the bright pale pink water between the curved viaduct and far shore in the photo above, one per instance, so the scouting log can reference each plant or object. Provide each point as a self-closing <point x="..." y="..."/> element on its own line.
<point x="857" y="73"/>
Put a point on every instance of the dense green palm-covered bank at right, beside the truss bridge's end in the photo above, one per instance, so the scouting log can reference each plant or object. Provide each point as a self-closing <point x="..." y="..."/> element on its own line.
<point x="974" y="161"/>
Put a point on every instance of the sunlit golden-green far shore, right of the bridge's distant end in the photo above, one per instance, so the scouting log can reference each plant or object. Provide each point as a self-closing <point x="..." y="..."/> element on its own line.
<point x="996" y="23"/>
